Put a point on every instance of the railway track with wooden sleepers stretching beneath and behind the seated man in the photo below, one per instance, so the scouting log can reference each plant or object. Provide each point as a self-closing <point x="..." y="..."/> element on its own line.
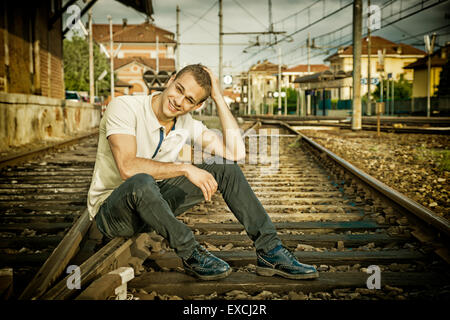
<point x="329" y="216"/>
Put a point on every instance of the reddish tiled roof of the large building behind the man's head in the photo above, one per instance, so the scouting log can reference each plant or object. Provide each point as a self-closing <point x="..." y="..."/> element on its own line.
<point x="144" y="32"/>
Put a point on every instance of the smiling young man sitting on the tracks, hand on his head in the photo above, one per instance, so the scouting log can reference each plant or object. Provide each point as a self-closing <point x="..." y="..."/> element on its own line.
<point x="137" y="186"/>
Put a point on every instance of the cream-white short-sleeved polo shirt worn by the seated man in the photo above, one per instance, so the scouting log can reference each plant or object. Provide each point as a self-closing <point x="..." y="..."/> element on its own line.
<point x="134" y="115"/>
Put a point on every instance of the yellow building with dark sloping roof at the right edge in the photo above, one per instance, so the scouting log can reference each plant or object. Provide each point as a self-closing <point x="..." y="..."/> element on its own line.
<point x="420" y="70"/>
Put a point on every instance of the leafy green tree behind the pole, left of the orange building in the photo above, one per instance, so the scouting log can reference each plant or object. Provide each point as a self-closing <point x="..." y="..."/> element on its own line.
<point x="76" y="66"/>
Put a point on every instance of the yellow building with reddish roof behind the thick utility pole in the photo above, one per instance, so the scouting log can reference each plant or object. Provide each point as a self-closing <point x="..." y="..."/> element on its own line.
<point x="396" y="57"/>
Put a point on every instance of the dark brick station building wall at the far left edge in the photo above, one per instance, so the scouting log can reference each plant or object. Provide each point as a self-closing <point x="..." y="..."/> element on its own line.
<point x="30" y="53"/>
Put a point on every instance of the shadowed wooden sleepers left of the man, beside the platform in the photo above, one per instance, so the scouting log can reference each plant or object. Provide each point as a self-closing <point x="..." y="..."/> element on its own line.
<point x="39" y="202"/>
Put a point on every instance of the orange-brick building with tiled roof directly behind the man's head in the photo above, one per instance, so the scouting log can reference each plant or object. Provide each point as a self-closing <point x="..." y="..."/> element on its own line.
<point x="140" y="48"/>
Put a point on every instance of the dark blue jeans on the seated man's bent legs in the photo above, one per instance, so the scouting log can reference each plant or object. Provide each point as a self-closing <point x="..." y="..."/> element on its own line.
<point x="142" y="204"/>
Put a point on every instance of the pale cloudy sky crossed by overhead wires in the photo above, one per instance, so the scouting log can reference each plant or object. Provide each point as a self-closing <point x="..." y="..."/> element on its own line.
<point x="331" y="19"/>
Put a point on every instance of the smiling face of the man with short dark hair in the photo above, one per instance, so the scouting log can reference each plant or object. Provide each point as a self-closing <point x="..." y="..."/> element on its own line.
<point x="182" y="95"/>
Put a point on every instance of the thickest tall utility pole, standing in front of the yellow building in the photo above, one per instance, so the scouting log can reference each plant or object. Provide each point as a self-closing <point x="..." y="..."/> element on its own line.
<point x="357" y="30"/>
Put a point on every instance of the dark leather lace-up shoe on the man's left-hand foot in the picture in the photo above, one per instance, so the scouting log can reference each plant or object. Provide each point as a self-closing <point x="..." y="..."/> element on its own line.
<point x="205" y="266"/>
